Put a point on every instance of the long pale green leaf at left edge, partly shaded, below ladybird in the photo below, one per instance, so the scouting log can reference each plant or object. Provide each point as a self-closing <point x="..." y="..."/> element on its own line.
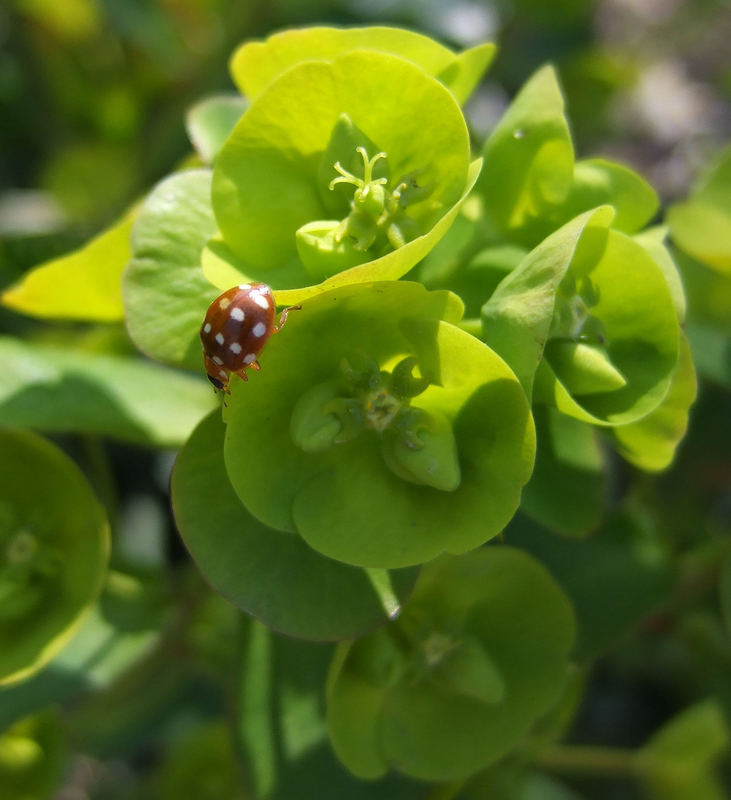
<point x="57" y="389"/>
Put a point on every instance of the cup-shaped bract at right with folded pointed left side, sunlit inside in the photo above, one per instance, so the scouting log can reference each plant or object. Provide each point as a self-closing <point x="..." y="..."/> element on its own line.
<point x="588" y="322"/>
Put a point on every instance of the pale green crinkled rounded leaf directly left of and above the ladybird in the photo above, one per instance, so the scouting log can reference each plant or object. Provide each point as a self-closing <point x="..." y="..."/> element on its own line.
<point x="166" y="294"/>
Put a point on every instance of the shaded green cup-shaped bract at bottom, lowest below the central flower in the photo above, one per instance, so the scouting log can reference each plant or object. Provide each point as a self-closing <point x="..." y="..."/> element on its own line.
<point x="480" y="652"/>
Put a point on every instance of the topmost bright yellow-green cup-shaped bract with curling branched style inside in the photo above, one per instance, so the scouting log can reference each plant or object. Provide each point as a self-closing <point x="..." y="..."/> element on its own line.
<point x="380" y="172"/>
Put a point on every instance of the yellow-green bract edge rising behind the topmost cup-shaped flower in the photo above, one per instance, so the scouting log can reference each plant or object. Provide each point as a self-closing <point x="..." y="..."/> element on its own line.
<point x="255" y="64"/>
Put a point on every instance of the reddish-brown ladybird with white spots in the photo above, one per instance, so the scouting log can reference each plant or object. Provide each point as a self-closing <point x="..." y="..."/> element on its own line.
<point x="235" y="330"/>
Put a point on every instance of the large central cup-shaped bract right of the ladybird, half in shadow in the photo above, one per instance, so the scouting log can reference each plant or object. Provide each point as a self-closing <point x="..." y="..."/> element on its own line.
<point x="359" y="374"/>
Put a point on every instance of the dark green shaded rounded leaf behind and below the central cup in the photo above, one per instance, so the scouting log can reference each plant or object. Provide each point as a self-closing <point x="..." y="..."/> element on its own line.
<point x="272" y="575"/>
